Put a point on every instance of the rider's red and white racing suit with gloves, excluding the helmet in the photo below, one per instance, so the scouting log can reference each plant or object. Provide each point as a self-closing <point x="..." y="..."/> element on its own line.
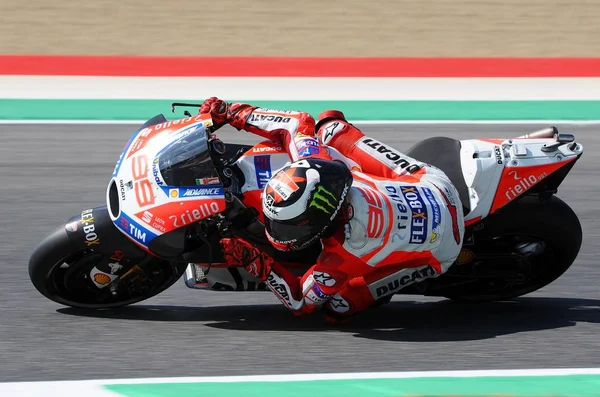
<point x="403" y="221"/>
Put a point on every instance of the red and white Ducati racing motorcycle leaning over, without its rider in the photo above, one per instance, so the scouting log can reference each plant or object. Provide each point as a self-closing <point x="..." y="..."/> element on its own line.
<point x="177" y="189"/>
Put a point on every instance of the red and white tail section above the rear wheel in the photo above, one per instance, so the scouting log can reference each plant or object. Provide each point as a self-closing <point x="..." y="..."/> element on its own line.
<point x="499" y="171"/>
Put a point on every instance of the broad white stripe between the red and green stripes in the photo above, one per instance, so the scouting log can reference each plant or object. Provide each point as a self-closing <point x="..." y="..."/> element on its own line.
<point x="308" y="88"/>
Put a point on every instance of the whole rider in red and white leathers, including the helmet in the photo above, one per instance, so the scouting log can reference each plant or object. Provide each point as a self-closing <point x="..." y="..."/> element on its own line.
<point x="387" y="222"/>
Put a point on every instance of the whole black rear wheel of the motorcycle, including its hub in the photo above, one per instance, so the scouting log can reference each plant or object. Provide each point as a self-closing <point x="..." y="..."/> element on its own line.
<point x="520" y="250"/>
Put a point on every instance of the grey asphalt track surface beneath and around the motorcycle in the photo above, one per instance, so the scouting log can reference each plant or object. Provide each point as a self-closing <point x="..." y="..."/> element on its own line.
<point x="50" y="172"/>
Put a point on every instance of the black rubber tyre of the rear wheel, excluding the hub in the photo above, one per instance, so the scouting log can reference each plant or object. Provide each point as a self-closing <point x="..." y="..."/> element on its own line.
<point x="551" y="223"/>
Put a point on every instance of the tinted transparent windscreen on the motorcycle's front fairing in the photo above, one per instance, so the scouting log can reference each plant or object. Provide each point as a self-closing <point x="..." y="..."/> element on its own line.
<point x="186" y="161"/>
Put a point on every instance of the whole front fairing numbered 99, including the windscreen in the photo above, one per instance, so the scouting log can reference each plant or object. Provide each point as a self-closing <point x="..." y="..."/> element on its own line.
<point x="164" y="180"/>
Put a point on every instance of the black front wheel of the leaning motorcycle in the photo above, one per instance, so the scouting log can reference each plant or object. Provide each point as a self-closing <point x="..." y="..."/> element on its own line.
<point x="68" y="274"/>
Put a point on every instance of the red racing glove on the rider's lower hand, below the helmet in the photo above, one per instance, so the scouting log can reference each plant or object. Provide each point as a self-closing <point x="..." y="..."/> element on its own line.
<point x="237" y="251"/>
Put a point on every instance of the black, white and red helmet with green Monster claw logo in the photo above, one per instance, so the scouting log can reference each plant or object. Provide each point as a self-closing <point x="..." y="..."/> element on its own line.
<point x="302" y="200"/>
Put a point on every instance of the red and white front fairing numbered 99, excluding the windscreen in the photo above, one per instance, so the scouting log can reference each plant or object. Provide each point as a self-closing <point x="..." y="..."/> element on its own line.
<point x="149" y="207"/>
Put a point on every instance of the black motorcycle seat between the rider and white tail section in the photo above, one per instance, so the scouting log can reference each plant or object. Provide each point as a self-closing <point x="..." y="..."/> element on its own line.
<point x="444" y="153"/>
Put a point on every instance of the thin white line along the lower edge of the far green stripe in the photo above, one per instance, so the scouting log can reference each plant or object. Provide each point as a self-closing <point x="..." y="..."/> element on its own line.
<point x="358" y="122"/>
